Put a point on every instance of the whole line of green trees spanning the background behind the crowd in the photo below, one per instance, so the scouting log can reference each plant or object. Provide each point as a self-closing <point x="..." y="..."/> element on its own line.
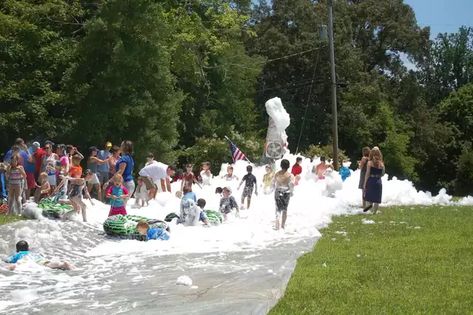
<point x="176" y="76"/>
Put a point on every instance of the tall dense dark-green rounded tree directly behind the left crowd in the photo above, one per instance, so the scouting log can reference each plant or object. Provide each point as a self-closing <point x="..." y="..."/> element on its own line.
<point x="121" y="86"/>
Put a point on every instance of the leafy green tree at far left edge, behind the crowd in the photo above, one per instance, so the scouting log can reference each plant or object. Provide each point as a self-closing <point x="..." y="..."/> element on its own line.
<point x="37" y="42"/>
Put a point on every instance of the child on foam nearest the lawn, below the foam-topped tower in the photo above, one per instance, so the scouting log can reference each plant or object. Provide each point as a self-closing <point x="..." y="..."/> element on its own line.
<point x="284" y="185"/>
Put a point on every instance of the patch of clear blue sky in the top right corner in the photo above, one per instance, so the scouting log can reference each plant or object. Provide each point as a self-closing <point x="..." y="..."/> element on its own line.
<point x="443" y="16"/>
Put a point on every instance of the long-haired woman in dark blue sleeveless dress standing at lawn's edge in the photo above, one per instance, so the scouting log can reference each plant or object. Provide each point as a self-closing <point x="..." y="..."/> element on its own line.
<point x="373" y="184"/>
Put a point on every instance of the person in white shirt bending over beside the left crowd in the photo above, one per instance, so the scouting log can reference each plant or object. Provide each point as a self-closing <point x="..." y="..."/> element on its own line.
<point x="157" y="175"/>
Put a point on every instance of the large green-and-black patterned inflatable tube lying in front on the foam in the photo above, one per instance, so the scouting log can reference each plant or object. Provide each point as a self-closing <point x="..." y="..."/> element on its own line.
<point x="124" y="226"/>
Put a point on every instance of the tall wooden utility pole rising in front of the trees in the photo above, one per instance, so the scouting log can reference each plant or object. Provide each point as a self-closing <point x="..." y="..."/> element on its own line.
<point x="334" y="85"/>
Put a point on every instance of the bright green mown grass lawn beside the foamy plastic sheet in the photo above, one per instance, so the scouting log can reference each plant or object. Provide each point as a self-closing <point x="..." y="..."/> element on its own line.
<point x="412" y="260"/>
